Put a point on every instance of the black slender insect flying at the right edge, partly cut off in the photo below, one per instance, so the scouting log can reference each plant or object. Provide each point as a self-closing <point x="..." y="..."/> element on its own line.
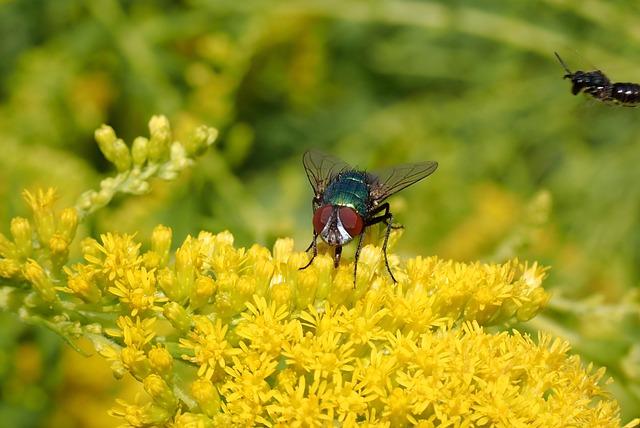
<point x="596" y="84"/>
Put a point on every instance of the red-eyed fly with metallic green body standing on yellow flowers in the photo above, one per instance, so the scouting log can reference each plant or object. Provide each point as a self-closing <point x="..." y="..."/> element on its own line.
<point x="346" y="201"/>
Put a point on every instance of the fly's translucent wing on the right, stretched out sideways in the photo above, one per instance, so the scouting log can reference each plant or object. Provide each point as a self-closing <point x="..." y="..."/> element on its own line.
<point x="384" y="182"/>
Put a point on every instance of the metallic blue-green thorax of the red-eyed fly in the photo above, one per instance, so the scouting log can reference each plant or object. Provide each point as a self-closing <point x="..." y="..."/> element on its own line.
<point x="350" y="189"/>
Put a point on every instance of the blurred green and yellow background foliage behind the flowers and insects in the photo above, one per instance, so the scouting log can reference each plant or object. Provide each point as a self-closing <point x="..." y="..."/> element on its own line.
<point x="526" y="169"/>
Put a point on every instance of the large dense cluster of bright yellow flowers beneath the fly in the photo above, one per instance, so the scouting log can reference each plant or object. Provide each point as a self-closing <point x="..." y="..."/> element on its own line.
<point x="249" y="339"/>
